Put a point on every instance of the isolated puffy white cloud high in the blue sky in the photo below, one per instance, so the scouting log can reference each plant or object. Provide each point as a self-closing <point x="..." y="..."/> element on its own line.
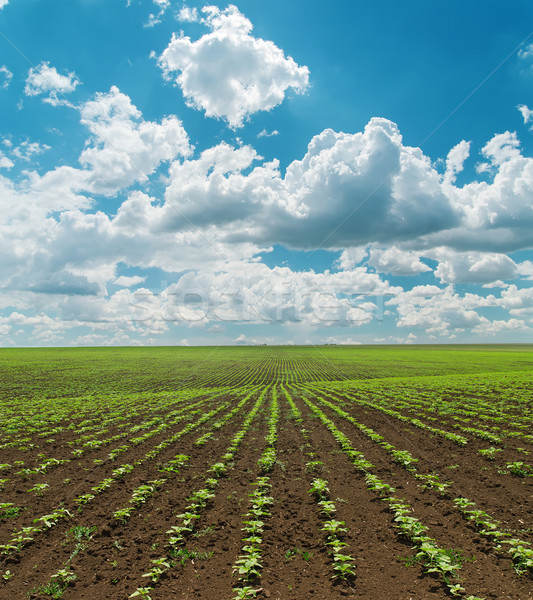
<point x="228" y="73"/>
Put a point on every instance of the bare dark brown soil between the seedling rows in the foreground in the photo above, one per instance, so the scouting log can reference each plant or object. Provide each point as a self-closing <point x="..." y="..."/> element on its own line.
<point x="296" y="563"/>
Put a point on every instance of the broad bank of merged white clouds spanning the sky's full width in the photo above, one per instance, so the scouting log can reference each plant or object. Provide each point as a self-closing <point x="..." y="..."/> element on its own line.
<point x="381" y="202"/>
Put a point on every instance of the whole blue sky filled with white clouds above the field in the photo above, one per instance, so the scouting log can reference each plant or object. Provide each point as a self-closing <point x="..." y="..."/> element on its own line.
<point x="281" y="172"/>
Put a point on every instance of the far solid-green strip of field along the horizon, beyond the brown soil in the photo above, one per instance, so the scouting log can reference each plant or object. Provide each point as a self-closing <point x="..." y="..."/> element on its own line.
<point x="73" y="371"/>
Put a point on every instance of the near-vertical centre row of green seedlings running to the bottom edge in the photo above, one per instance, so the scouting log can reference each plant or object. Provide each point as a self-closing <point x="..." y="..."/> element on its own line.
<point x="249" y="562"/>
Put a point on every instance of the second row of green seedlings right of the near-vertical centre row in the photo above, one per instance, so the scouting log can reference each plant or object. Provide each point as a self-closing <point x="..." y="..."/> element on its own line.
<point x="433" y="558"/>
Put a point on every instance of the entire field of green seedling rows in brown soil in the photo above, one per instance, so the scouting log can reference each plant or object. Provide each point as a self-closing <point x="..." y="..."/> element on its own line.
<point x="269" y="472"/>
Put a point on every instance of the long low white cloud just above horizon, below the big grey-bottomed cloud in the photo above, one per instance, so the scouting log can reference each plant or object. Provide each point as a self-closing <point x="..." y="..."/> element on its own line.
<point x="254" y="293"/>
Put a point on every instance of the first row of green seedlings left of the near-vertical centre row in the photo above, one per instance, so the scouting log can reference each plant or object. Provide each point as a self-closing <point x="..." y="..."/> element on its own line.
<point x="179" y="534"/>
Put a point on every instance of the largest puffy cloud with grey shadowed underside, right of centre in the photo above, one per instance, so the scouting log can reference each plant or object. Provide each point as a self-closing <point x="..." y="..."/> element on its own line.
<point x="348" y="190"/>
